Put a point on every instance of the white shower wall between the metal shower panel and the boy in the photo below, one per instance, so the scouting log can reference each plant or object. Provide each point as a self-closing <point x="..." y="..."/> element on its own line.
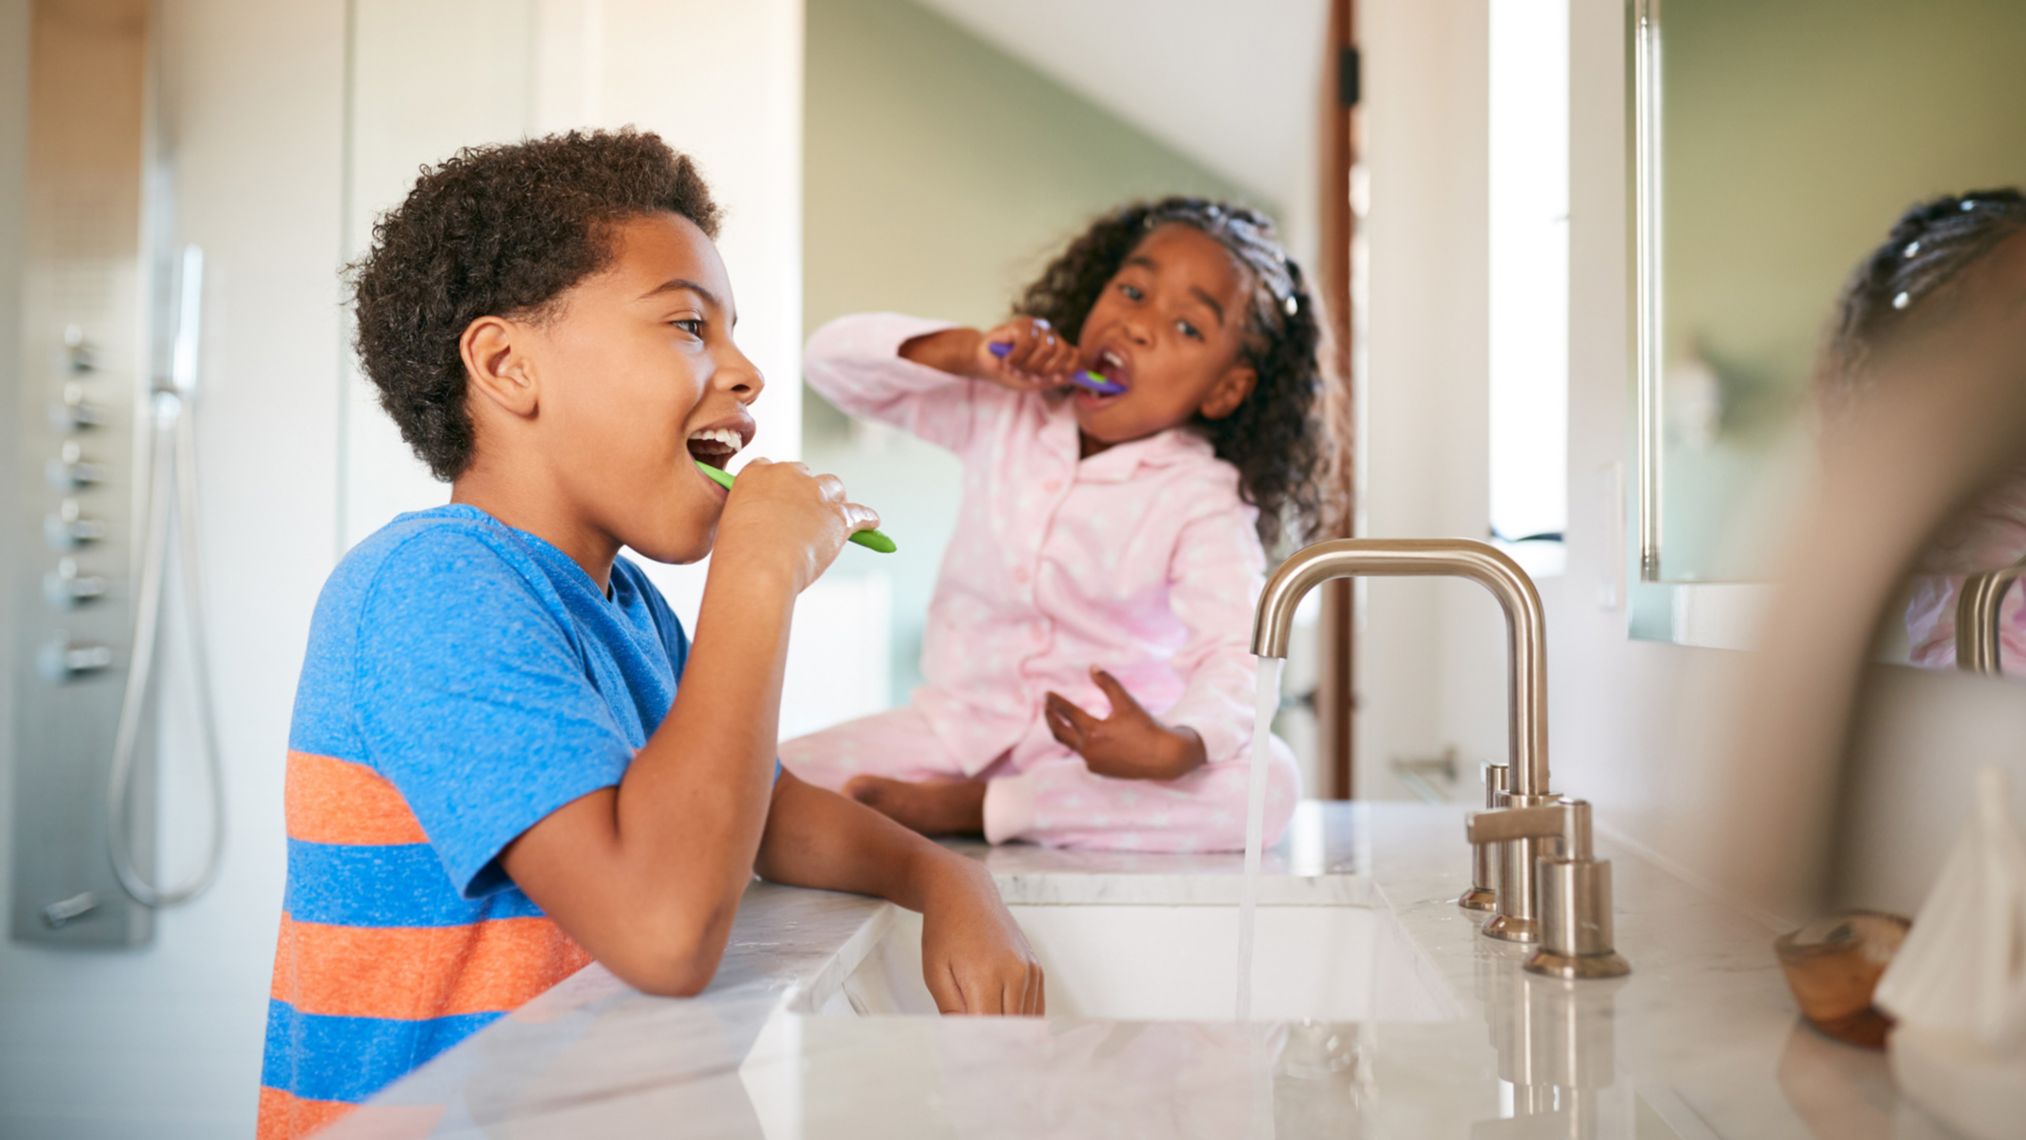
<point x="165" y="1042"/>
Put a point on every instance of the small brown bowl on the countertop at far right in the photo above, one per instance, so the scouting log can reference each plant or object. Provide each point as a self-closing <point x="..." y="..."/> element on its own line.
<point x="1833" y="967"/>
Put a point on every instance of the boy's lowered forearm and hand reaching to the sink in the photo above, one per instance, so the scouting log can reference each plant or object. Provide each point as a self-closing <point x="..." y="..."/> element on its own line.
<point x="973" y="955"/>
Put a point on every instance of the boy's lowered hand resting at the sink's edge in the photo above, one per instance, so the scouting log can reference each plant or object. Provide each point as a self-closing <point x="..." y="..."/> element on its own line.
<point x="973" y="955"/>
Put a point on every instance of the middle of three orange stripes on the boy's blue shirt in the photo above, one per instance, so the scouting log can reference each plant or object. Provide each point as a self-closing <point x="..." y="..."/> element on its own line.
<point x="420" y="973"/>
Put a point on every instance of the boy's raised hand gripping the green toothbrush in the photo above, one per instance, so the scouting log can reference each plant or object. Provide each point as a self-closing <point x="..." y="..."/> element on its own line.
<point x="785" y="521"/>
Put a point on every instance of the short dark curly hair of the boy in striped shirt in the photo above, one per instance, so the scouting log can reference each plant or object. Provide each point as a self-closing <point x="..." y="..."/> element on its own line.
<point x="497" y="232"/>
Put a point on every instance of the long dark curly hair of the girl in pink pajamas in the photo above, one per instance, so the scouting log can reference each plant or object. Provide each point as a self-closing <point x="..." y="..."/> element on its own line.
<point x="1277" y="438"/>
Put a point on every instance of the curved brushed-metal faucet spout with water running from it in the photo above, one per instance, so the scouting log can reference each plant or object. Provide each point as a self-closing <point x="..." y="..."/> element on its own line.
<point x="1527" y="641"/>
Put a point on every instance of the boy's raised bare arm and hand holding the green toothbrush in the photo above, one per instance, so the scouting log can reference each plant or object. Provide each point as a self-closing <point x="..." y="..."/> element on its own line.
<point x="647" y="876"/>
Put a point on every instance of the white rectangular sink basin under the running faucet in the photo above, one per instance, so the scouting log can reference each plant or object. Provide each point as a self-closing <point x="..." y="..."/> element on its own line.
<point x="1174" y="963"/>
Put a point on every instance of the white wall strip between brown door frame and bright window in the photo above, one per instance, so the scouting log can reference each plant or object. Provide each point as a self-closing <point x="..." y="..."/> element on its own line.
<point x="1431" y="655"/>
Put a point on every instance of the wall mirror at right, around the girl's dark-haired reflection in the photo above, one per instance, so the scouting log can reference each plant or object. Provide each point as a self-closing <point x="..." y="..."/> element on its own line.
<point x="1774" y="147"/>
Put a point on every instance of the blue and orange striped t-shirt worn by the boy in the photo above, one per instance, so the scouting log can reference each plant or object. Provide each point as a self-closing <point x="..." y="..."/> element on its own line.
<point x="463" y="681"/>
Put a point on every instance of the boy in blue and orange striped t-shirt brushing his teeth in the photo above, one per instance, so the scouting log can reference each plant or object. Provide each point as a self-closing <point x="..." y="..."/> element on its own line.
<point x="508" y="760"/>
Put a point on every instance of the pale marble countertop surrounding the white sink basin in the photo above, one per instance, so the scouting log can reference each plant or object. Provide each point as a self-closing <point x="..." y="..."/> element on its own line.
<point x="1701" y="1040"/>
